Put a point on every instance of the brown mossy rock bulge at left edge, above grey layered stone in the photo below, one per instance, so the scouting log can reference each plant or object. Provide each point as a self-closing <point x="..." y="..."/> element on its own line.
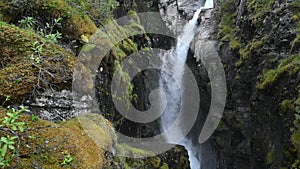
<point x="30" y="63"/>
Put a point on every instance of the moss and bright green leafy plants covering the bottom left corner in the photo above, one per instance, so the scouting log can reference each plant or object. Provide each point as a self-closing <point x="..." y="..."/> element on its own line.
<point x="49" y="145"/>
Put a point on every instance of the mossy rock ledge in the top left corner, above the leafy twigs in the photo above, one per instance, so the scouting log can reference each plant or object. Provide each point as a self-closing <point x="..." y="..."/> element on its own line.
<point x="74" y="22"/>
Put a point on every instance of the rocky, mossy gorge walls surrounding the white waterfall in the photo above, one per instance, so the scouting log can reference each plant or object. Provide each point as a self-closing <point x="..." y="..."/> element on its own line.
<point x="257" y="44"/>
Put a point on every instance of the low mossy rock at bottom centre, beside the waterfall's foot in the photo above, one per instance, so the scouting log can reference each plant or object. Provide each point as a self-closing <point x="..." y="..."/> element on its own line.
<point x="134" y="158"/>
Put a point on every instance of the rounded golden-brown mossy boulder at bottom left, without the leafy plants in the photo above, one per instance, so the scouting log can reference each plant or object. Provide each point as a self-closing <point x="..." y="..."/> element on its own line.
<point x="45" y="144"/>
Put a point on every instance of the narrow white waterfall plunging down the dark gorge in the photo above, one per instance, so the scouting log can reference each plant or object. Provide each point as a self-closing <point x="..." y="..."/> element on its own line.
<point x="174" y="61"/>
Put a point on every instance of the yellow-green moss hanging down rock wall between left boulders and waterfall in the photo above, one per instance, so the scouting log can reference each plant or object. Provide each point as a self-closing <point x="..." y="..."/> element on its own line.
<point x="115" y="38"/>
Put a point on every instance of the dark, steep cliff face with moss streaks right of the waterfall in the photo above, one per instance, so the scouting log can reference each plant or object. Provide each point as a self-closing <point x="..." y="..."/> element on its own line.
<point x="260" y="51"/>
